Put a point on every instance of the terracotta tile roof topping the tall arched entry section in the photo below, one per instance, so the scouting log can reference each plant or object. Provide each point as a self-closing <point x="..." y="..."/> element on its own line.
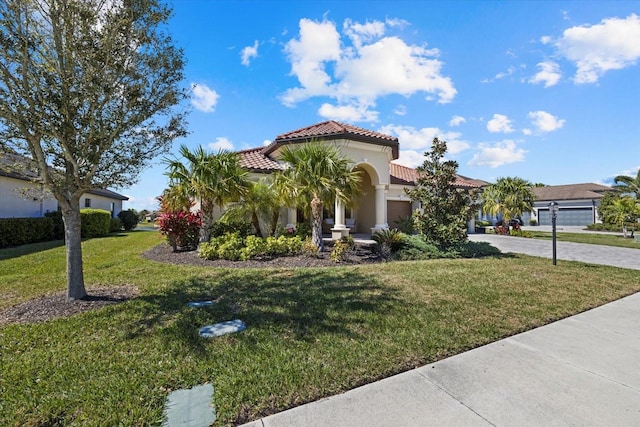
<point x="335" y="130"/>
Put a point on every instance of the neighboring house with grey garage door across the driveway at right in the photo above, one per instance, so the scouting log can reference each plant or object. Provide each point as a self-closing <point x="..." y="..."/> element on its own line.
<point x="578" y="204"/>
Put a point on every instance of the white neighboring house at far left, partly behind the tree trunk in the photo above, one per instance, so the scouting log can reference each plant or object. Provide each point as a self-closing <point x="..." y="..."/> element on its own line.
<point x="21" y="197"/>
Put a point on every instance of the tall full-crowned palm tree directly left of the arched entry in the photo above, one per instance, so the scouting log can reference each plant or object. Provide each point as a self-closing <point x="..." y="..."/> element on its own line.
<point x="317" y="175"/>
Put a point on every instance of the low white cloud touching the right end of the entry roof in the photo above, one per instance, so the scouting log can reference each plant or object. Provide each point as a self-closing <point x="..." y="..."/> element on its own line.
<point x="421" y="139"/>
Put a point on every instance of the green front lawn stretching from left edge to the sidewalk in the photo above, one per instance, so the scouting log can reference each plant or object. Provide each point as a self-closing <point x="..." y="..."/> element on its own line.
<point x="311" y="332"/>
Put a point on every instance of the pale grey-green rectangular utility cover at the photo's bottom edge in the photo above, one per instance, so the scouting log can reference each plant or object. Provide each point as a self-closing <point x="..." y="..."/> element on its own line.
<point x="190" y="408"/>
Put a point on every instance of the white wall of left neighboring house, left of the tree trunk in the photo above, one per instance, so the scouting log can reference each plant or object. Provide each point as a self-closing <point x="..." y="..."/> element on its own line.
<point x="13" y="205"/>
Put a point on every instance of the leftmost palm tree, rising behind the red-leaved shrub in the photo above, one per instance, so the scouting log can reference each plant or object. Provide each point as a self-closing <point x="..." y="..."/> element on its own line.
<point x="212" y="179"/>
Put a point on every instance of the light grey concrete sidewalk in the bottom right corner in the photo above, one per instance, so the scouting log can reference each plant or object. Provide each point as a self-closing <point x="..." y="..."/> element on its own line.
<point x="583" y="370"/>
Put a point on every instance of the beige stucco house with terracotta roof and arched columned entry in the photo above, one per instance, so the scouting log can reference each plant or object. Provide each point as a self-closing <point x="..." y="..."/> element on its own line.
<point x="383" y="182"/>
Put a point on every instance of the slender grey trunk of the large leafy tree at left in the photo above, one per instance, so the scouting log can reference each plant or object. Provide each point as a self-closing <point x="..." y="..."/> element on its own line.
<point x="73" y="244"/>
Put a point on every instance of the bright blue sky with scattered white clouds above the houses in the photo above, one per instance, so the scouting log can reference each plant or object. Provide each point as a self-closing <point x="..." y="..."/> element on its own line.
<point x="545" y="90"/>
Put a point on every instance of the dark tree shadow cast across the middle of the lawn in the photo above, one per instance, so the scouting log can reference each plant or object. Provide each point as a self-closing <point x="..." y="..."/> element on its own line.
<point x="295" y="304"/>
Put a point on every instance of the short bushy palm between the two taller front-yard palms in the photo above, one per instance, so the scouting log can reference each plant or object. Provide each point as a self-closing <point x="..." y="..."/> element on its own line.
<point x="261" y="205"/>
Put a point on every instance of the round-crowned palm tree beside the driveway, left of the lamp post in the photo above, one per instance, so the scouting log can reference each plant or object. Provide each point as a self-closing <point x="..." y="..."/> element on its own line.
<point x="509" y="197"/>
